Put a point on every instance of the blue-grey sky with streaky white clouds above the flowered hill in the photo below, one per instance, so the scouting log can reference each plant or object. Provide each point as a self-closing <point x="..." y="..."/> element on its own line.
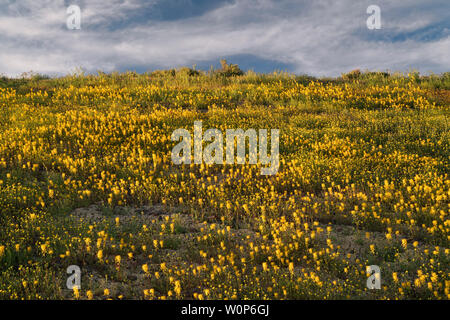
<point x="314" y="37"/>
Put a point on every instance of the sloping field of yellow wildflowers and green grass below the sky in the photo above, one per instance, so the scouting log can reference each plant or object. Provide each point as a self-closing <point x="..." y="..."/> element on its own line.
<point x="86" y="179"/>
